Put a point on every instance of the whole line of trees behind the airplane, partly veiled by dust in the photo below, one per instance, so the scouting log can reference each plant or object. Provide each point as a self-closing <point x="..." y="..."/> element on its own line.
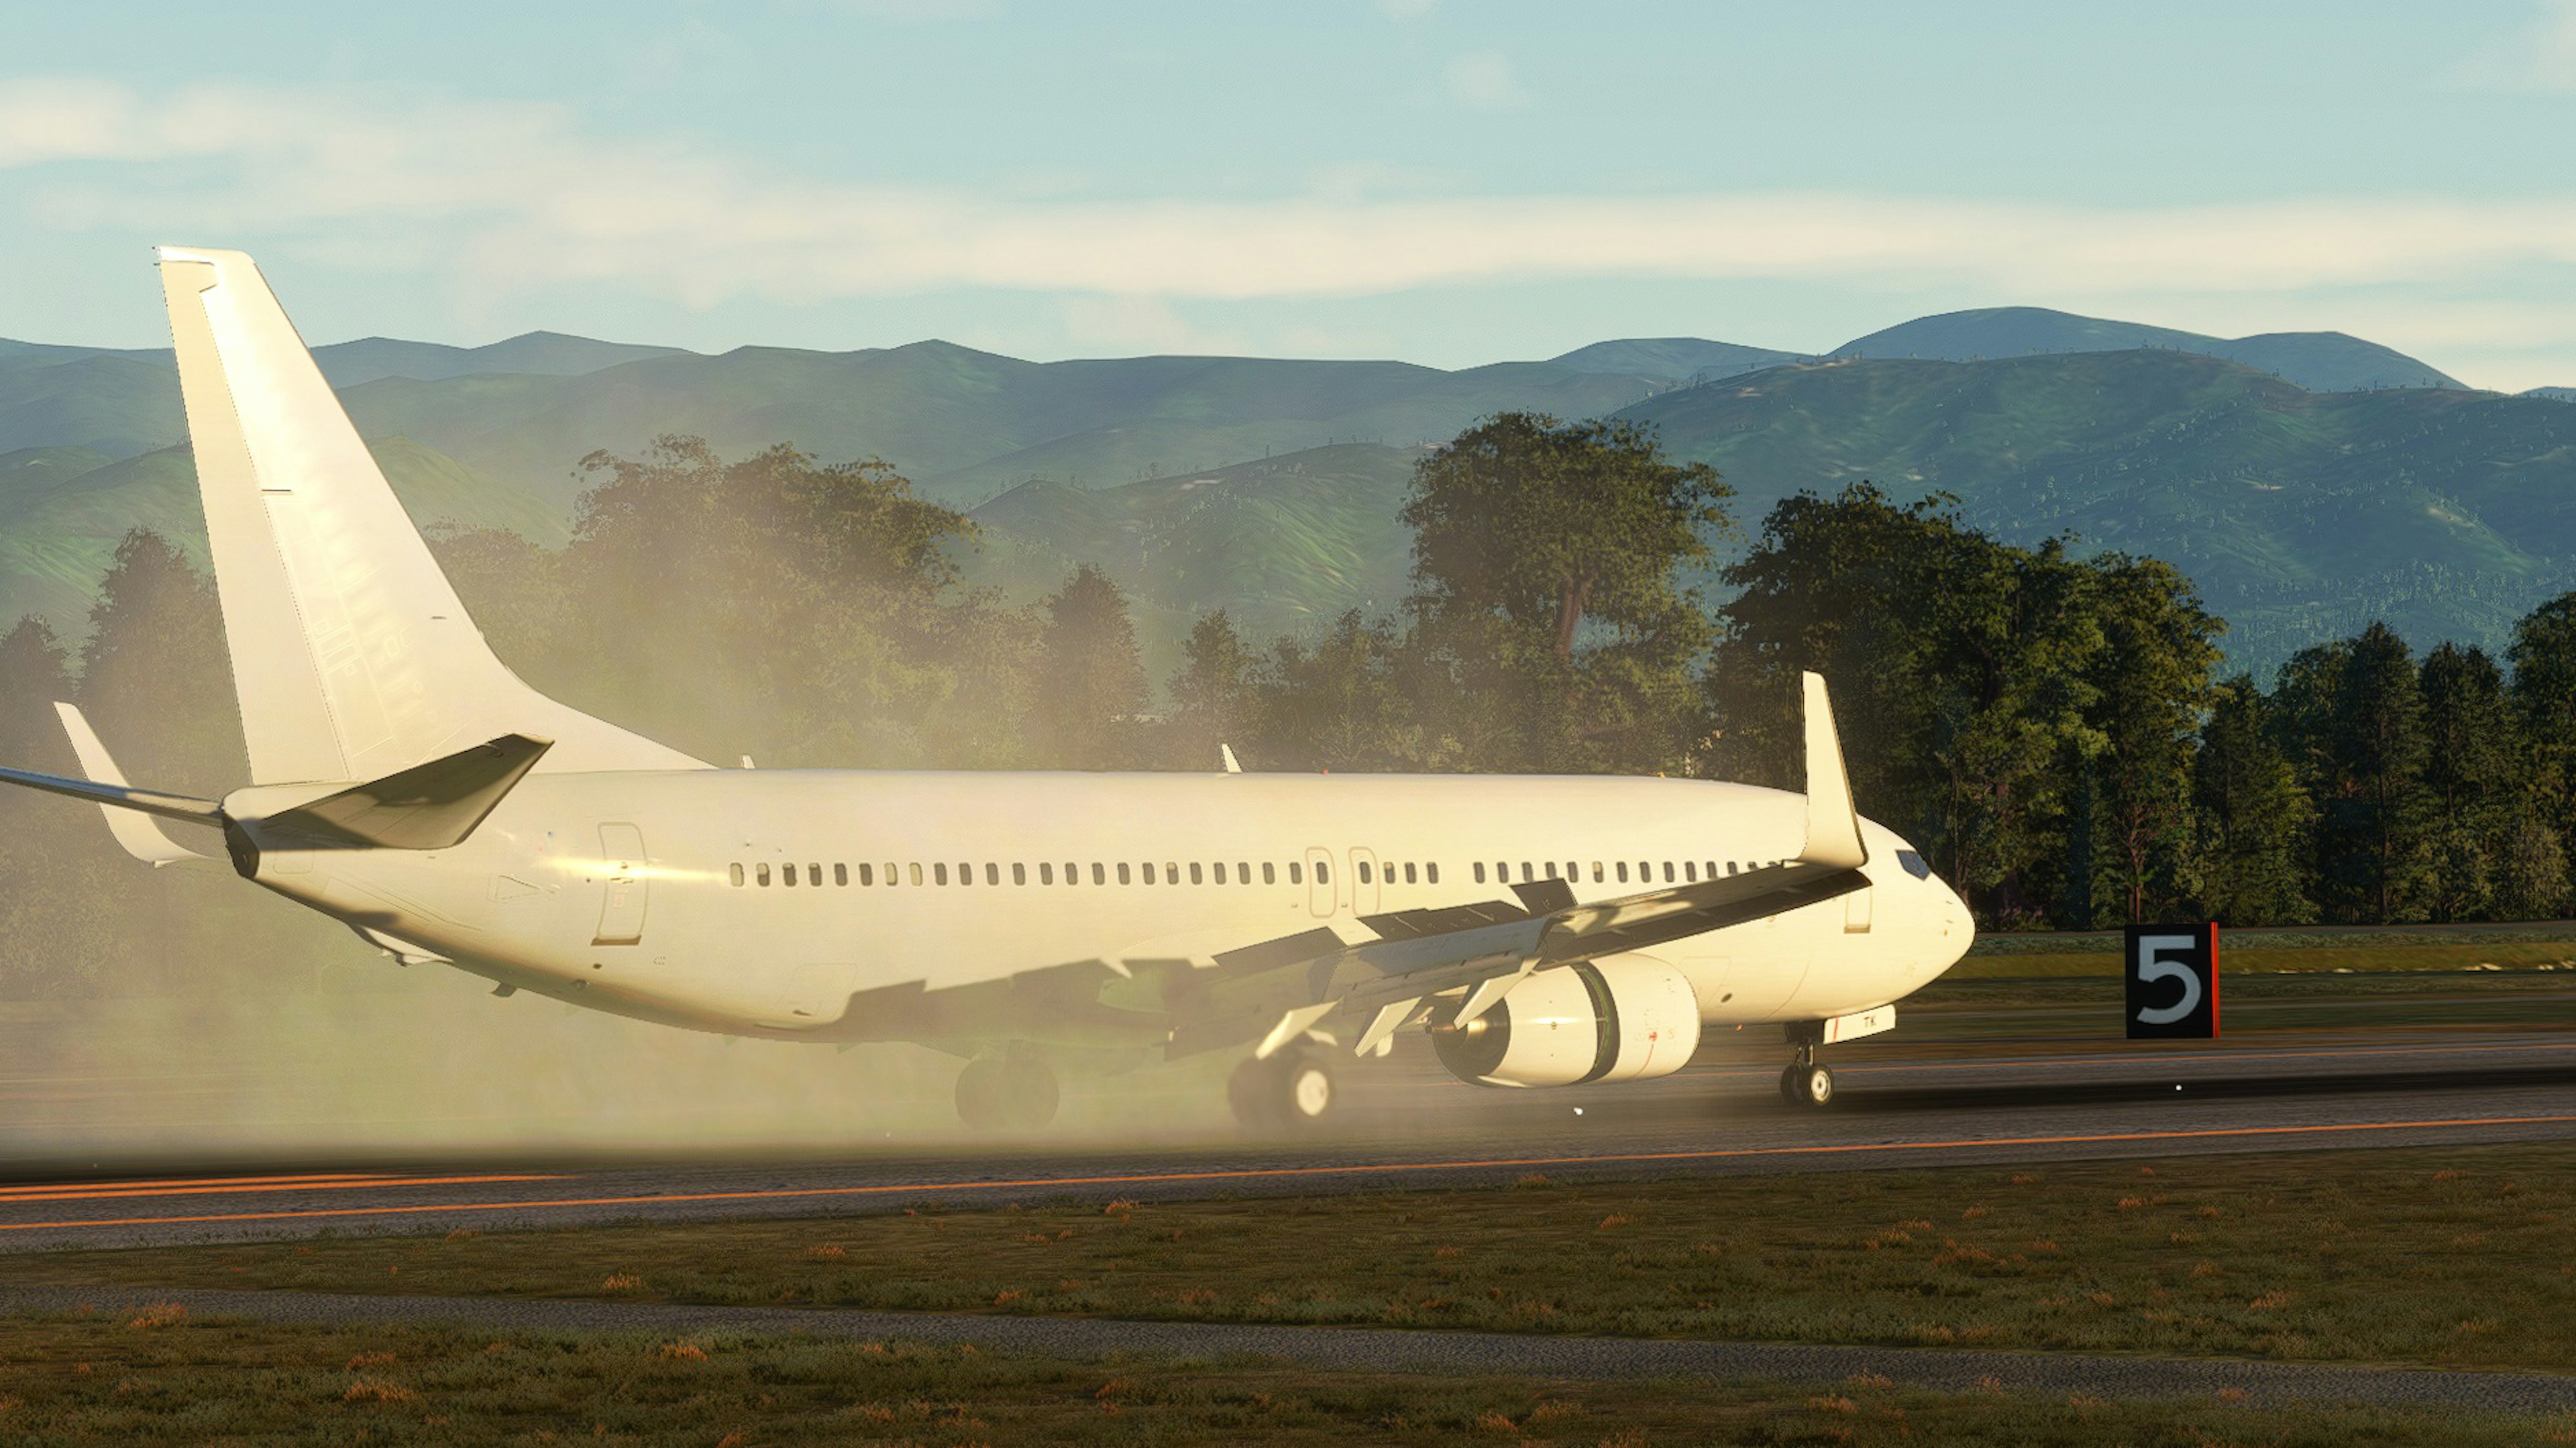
<point x="2057" y="733"/>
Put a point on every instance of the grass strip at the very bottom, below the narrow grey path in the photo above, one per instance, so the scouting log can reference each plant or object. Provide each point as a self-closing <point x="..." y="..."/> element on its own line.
<point x="164" y="1377"/>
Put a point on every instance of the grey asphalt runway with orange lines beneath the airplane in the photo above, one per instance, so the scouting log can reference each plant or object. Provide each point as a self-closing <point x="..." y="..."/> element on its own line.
<point x="1410" y="1127"/>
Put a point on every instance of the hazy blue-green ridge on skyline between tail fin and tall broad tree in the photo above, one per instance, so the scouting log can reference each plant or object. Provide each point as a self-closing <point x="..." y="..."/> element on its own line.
<point x="965" y="424"/>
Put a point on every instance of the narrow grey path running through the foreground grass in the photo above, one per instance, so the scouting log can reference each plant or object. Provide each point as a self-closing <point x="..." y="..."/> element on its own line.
<point x="1385" y="1349"/>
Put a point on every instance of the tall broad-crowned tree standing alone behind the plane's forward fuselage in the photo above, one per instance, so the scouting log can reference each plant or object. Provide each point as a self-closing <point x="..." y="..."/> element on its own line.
<point x="1547" y="594"/>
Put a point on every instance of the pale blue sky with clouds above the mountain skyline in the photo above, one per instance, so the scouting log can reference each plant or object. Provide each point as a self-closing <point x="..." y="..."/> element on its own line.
<point x="1441" y="182"/>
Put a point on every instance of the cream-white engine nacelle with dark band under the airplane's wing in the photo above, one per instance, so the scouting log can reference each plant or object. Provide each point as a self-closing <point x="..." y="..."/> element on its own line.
<point x="1616" y="1019"/>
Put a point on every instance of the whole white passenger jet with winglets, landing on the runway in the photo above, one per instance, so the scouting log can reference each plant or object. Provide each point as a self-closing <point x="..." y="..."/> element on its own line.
<point x="403" y="782"/>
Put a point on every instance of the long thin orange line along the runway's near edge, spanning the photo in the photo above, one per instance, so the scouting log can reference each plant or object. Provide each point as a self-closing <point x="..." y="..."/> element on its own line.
<point x="1276" y="1174"/>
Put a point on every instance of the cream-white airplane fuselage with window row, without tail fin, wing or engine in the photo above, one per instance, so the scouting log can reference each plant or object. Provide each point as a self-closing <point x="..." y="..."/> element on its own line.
<point x="761" y="903"/>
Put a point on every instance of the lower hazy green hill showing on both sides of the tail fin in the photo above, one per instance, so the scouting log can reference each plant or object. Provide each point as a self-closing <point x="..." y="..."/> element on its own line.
<point x="58" y="540"/>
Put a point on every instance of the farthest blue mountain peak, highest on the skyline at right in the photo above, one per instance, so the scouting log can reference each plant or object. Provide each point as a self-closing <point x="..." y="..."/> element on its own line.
<point x="2320" y="362"/>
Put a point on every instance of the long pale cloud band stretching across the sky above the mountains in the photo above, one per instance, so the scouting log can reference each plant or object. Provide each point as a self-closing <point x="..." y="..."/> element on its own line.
<point x="519" y="197"/>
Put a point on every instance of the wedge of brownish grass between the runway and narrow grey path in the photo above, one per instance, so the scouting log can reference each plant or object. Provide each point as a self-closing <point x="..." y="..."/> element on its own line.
<point x="2410" y="1256"/>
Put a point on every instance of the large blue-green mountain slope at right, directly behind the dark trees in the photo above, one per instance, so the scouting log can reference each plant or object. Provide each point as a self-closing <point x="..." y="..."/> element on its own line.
<point x="2299" y="514"/>
